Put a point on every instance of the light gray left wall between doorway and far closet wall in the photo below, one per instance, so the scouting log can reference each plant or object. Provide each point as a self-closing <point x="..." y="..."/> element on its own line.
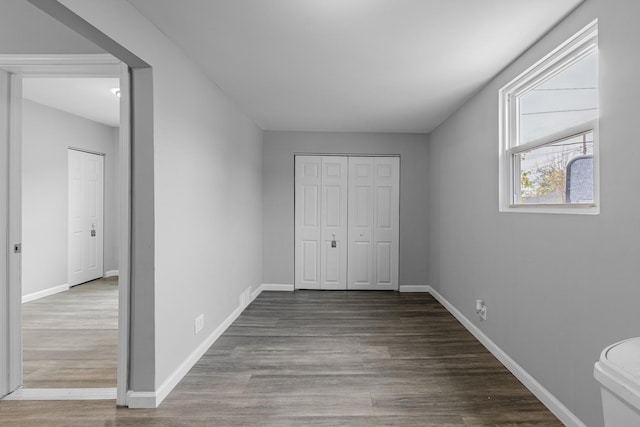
<point x="207" y="198"/>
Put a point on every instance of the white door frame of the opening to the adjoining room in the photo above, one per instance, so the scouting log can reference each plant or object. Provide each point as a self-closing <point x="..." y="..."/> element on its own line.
<point x="94" y="65"/>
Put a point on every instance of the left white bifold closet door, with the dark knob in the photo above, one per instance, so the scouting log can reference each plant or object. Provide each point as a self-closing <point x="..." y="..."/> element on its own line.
<point x="321" y="222"/>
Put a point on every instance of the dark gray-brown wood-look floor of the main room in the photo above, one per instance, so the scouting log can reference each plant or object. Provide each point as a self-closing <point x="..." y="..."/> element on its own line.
<point x="327" y="359"/>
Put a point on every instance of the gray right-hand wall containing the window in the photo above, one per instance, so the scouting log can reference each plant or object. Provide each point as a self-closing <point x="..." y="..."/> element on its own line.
<point x="559" y="288"/>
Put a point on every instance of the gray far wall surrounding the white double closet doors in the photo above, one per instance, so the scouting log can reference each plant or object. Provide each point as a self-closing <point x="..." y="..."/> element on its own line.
<point x="278" y="185"/>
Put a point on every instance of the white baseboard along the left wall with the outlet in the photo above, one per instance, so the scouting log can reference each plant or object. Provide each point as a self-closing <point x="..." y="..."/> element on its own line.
<point x="153" y="399"/>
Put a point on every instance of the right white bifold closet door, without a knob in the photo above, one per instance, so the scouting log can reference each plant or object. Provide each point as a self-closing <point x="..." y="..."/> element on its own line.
<point x="374" y="200"/>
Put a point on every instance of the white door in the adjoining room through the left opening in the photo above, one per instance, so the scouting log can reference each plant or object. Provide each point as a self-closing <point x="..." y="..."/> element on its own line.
<point x="86" y="199"/>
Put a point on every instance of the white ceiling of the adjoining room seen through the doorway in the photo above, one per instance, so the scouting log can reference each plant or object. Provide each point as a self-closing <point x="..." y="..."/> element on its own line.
<point x="90" y="98"/>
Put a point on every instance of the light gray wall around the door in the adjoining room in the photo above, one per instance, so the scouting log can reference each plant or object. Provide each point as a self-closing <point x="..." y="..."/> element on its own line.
<point x="46" y="135"/>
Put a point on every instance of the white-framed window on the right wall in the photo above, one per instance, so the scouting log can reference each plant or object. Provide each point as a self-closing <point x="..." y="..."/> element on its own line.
<point x="549" y="132"/>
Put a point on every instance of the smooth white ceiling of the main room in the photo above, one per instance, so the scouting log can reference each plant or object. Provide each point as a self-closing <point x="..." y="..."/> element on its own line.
<point x="353" y="65"/>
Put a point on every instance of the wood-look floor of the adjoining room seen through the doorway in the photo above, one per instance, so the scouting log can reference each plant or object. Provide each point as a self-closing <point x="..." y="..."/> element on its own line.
<point x="70" y="339"/>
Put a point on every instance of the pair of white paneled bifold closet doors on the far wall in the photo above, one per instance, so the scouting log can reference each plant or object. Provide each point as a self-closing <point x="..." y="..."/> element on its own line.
<point x="347" y="222"/>
